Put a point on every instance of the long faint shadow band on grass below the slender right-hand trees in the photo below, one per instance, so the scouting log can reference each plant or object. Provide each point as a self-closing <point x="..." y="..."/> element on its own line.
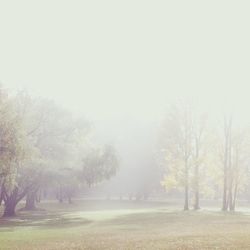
<point x="167" y="219"/>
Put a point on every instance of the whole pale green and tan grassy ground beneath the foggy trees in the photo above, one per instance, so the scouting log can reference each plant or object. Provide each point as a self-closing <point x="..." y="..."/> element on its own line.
<point x="124" y="225"/>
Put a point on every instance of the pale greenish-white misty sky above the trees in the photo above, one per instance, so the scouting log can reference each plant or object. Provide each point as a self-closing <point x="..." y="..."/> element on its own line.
<point x="109" y="59"/>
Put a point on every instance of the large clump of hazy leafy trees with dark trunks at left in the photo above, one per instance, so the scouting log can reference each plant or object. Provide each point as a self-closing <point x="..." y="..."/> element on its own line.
<point x="43" y="146"/>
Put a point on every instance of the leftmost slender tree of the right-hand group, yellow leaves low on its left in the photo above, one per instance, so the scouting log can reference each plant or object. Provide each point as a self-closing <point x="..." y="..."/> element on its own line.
<point x="176" y="140"/>
